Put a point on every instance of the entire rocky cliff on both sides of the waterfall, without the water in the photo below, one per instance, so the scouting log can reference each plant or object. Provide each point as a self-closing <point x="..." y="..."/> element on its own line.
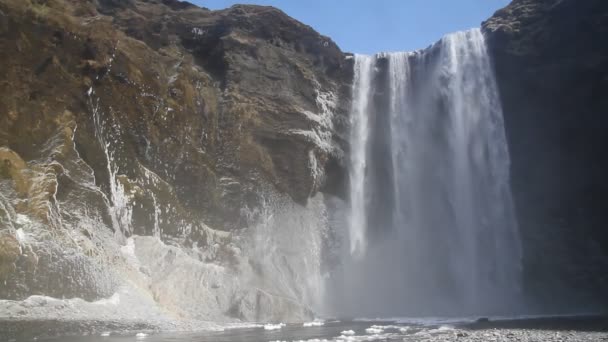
<point x="165" y="158"/>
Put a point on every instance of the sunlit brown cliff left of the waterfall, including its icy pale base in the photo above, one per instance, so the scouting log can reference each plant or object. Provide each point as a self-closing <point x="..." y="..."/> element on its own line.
<point x="170" y="148"/>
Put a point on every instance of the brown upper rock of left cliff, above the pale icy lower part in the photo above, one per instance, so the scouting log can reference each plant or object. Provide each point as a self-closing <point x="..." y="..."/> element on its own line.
<point x="214" y="103"/>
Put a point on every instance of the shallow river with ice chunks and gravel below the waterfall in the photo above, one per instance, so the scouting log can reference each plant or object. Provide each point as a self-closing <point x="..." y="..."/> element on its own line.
<point x="573" y="328"/>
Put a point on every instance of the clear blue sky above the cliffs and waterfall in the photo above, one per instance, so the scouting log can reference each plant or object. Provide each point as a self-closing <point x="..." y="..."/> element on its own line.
<point x="370" y="26"/>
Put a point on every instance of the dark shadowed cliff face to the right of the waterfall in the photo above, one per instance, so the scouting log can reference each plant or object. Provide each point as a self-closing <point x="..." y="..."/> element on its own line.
<point x="552" y="68"/>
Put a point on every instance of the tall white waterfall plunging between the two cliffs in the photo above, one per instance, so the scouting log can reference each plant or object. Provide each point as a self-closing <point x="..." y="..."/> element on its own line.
<point x="431" y="218"/>
